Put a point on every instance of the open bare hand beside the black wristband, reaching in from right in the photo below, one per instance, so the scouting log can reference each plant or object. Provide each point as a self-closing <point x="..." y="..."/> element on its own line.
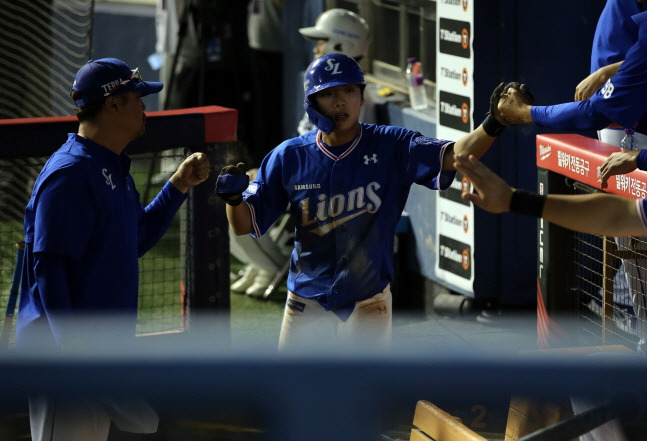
<point x="492" y="192"/>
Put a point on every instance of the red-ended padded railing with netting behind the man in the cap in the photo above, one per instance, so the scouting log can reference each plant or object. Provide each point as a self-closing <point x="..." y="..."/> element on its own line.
<point x="187" y="272"/>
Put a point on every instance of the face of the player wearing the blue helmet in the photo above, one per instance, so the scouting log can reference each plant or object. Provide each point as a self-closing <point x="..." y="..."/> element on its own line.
<point x="341" y="104"/>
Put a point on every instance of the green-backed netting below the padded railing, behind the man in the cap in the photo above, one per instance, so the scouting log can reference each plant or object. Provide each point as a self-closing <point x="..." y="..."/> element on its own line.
<point x="162" y="269"/>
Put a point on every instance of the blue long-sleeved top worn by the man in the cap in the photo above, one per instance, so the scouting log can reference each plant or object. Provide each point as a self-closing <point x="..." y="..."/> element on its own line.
<point x="84" y="231"/>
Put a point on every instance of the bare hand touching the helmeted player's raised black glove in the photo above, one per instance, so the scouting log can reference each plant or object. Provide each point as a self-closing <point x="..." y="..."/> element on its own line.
<point x="514" y="103"/>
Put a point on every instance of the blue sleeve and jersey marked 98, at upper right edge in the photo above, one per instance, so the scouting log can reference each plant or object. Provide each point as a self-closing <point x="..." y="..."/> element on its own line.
<point x="622" y="100"/>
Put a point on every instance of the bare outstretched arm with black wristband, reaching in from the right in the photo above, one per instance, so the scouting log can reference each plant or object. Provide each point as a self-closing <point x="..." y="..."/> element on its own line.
<point x="598" y="213"/>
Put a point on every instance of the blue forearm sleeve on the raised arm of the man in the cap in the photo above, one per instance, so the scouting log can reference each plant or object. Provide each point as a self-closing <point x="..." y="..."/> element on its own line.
<point x="157" y="216"/>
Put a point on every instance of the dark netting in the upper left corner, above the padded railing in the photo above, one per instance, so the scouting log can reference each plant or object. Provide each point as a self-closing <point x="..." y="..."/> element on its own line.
<point x="42" y="45"/>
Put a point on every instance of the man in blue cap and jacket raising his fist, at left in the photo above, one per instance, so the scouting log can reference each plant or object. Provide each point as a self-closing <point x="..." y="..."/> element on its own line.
<point x="84" y="232"/>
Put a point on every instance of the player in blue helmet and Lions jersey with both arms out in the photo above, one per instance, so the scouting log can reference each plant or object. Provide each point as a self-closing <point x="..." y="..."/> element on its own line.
<point x="346" y="184"/>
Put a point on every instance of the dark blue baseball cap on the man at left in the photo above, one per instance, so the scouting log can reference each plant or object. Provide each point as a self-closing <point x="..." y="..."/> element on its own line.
<point x="101" y="78"/>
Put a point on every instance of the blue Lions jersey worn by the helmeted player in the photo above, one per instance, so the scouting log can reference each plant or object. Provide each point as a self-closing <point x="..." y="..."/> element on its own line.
<point x="345" y="202"/>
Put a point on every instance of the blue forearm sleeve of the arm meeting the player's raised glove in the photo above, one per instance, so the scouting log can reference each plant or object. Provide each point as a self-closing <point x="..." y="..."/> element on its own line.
<point x="577" y="115"/>
